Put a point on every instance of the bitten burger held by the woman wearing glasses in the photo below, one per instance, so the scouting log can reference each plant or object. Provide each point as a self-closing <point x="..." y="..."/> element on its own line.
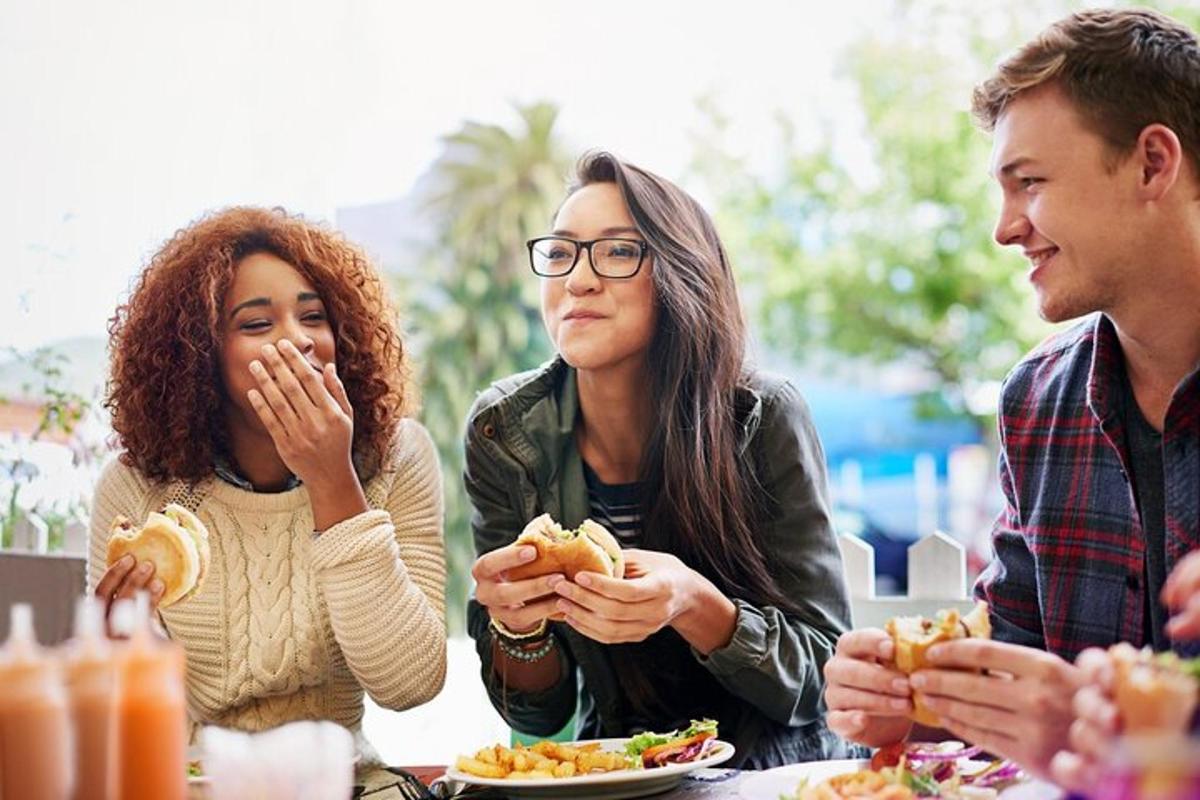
<point x="587" y="549"/>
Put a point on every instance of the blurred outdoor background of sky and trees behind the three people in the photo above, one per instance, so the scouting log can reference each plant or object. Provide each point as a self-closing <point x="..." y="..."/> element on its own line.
<point x="832" y="142"/>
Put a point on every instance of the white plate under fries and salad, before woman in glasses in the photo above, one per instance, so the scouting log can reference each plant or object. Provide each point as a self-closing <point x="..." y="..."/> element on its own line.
<point x="604" y="786"/>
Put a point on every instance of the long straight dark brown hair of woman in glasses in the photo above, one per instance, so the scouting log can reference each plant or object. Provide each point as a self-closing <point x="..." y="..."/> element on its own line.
<point x="701" y="501"/>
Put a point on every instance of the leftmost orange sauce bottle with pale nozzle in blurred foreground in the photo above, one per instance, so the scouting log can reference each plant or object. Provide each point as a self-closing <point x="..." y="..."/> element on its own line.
<point x="35" y="730"/>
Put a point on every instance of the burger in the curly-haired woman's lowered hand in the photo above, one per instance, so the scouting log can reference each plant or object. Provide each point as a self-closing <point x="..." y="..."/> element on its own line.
<point x="175" y="542"/>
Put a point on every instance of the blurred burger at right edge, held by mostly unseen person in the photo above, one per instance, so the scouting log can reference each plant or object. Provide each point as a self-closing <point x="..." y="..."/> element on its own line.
<point x="1156" y="694"/>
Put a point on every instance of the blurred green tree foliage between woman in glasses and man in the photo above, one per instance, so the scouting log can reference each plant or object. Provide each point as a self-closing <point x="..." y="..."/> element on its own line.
<point x="890" y="257"/>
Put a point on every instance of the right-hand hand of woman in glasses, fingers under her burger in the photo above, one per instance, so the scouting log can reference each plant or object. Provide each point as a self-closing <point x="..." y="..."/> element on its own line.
<point x="658" y="591"/>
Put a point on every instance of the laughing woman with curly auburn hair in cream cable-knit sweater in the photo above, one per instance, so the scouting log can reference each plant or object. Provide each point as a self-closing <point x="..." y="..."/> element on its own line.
<point x="259" y="380"/>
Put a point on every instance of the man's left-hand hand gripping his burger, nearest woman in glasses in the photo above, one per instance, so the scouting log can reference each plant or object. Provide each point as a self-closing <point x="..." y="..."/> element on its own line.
<point x="869" y="701"/>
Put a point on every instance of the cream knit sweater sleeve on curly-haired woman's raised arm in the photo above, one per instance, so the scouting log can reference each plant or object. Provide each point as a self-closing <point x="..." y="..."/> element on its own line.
<point x="383" y="578"/>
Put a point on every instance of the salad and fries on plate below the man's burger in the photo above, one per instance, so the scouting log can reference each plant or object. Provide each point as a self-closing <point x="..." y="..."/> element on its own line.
<point x="908" y="772"/>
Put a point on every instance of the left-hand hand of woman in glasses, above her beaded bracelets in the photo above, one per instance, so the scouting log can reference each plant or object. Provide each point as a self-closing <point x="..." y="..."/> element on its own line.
<point x="520" y="606"/>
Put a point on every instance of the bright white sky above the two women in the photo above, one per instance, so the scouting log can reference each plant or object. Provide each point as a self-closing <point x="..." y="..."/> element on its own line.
<point x="127" y="121"/>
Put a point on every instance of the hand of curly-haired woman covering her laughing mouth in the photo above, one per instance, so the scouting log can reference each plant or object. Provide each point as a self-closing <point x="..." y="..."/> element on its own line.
<point x="311" y="423"/>
